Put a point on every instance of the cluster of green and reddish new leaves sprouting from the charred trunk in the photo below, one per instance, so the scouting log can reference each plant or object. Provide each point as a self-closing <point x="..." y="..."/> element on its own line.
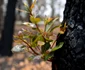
<point x="37" y="40"/>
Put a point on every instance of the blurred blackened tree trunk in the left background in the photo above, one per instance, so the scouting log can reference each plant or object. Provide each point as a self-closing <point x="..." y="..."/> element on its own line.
<point x="7" y="35"/>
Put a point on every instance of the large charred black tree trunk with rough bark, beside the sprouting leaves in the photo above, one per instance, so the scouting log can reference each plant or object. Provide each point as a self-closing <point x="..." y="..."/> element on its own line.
<point x="72" y="55"/>
